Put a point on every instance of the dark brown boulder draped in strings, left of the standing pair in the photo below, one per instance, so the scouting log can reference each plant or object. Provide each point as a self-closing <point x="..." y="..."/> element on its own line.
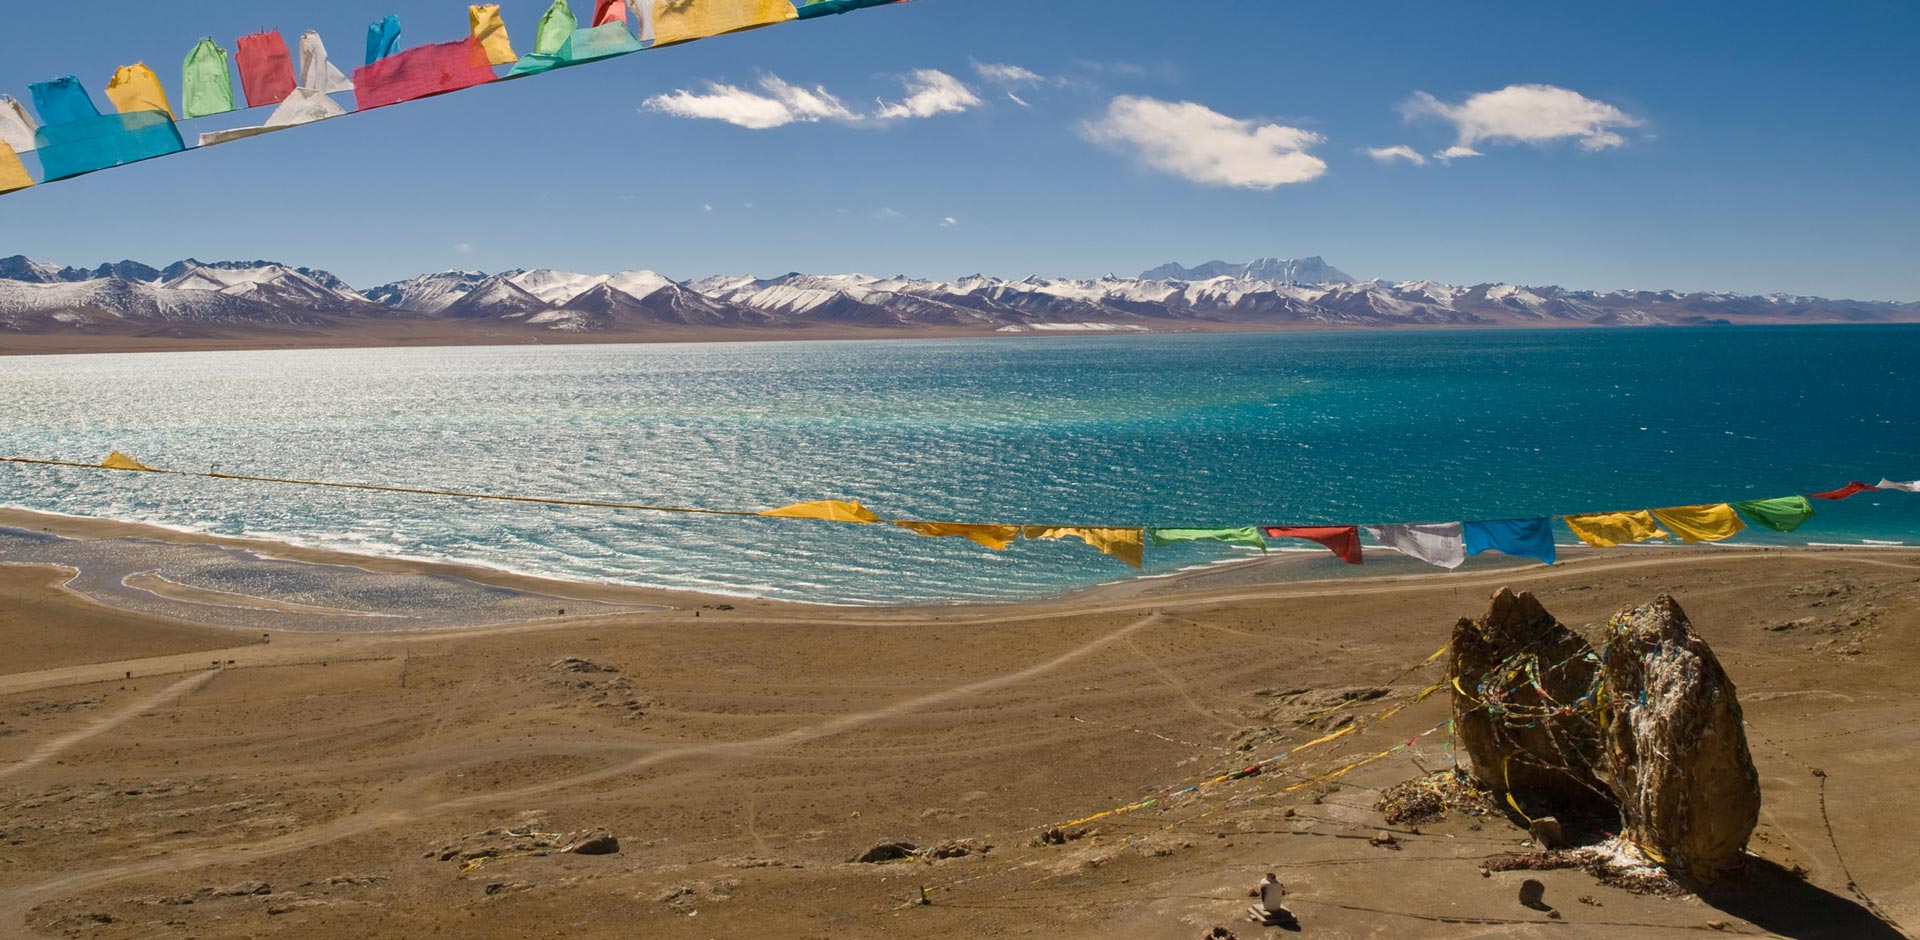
<point x="1535" y="741"/>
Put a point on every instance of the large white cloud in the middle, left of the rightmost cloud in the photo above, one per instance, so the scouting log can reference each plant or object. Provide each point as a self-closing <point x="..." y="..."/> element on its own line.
<point x="1207" y="147"/>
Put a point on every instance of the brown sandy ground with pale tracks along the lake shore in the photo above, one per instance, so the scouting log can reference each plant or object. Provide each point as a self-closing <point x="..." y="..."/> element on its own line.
<point x="310" y="786"/>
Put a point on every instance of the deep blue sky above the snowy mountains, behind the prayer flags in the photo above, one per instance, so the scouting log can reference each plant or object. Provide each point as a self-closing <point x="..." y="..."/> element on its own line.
<point x="1752" y="147"/>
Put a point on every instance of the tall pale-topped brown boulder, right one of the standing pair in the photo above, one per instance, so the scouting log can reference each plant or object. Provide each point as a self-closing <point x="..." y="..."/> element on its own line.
<point x="1675" y="745"/>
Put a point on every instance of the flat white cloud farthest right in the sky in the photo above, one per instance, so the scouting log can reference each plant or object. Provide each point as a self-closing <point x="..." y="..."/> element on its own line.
<point x="1525" y="114"/>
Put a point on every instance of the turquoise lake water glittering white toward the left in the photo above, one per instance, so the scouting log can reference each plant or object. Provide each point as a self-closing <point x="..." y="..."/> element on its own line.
<point x="1161" y="431"/>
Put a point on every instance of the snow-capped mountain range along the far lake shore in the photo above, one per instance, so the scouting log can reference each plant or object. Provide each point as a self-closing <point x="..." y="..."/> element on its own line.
<point x="306" y="306"/>
